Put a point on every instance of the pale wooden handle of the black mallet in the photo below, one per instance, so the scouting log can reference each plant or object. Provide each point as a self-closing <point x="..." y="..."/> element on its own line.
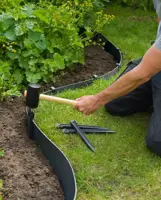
<point x="55" y="99"/>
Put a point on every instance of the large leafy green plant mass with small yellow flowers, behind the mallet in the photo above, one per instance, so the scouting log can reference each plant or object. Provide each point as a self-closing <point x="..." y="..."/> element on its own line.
<point x="38" y="40"/>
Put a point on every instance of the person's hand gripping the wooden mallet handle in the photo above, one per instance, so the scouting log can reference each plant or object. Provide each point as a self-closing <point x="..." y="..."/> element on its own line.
<point x="87" y="104"/>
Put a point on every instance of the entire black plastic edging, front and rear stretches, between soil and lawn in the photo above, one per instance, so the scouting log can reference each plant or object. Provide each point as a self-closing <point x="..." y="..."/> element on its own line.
<point x="56" y="157"/>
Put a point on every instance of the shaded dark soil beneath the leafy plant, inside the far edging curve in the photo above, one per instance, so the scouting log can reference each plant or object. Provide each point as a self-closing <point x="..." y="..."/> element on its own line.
<point x="97" y="62"/>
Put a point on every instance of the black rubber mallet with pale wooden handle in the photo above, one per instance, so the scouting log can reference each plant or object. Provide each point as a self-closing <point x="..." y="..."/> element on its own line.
<point x="33" y="95"/>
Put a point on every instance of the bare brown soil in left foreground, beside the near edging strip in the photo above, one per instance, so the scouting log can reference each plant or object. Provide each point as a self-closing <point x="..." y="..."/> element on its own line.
<point x="26" y="173"/>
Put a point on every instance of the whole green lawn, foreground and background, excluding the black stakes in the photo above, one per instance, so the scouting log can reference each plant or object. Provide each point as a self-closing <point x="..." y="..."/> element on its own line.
<point x="121" y="168"/>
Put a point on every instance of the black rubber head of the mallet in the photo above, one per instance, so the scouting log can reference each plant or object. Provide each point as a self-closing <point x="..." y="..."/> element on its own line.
<point x="32" y="97"/>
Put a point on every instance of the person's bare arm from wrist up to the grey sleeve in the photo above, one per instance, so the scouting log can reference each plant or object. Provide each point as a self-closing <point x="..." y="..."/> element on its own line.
<point x="150" y="65"/>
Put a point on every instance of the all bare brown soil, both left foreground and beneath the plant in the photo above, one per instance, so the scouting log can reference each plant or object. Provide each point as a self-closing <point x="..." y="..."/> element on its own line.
<point x="25" y="171"/>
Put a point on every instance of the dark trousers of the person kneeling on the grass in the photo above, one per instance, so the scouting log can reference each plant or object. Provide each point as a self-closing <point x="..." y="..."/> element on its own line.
<point x="139" y="100"/>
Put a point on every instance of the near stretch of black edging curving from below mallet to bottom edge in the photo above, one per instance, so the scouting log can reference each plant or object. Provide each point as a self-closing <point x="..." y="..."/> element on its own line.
<point x="56" y="157"/>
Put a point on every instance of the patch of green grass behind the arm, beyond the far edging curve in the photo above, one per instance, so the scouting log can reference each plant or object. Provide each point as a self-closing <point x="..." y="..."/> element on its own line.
<point x="131" y="31"/>
